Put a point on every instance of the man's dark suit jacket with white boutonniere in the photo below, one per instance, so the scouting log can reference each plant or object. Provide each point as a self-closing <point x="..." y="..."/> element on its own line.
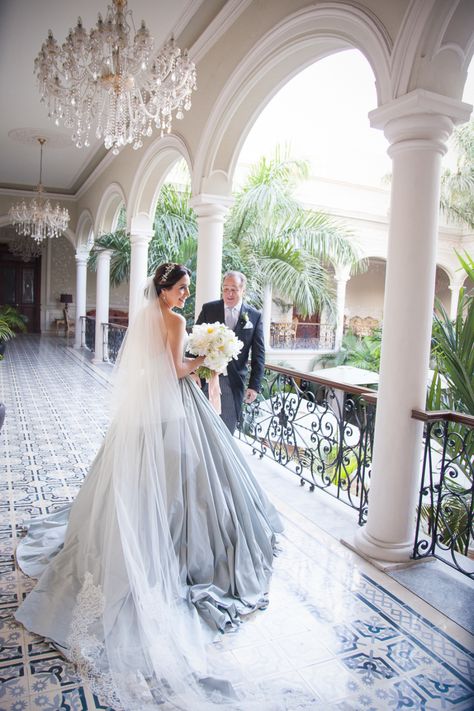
<point x="253" y="341"/>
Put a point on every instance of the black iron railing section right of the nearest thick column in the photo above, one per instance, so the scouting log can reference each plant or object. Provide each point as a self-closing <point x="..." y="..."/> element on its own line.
<point x="445" y="517"/>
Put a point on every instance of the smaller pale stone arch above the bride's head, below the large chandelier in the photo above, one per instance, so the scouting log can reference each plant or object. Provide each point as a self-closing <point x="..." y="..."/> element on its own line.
<point x="157" y="161"/>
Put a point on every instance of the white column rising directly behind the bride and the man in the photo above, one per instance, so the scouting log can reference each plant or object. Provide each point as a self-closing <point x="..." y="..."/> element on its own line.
<point x="210" y="211"/>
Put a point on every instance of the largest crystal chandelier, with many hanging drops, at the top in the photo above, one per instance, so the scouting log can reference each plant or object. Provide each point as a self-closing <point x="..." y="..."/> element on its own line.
<point x="111" y="76"/>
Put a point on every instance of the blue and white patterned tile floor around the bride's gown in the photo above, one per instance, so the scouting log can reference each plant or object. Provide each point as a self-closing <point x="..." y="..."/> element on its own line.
<point x="337" y="629"/>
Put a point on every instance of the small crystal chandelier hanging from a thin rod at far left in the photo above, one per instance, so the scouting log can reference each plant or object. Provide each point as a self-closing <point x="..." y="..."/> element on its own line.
<point x="38" y="218"/>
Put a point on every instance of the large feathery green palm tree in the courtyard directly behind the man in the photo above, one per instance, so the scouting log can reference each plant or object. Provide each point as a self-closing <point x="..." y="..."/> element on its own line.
<point x="279" y="243"/>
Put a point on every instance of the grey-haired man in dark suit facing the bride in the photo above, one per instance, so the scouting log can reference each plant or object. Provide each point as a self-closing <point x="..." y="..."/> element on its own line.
<point x="247" y="324"/>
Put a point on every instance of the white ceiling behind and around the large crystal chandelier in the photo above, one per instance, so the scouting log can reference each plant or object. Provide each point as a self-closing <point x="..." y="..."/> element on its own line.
<point x="24" y="26"/>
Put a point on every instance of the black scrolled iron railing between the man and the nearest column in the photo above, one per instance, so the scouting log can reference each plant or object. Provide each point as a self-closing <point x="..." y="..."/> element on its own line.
<point x="319" y="429"/>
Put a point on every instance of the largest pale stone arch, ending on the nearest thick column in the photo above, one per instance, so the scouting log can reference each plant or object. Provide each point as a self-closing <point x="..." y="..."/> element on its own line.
<point x="292" y="45"/>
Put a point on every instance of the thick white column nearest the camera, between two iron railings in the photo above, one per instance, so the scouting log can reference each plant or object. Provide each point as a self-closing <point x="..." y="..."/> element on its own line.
<point x="417" y="126"/>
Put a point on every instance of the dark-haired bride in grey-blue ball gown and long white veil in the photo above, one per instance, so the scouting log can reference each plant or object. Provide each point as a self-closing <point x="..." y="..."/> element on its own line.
<point x="169" y="540"/>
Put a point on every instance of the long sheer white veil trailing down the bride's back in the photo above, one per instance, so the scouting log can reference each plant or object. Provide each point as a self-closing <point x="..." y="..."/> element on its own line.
<point x="134" y="634"/>
